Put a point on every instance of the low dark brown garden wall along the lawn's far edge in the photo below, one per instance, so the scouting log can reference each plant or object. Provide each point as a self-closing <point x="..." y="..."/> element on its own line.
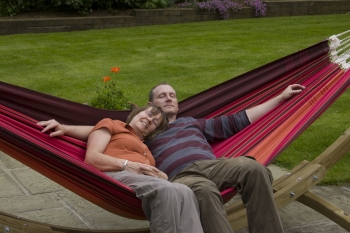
<point x="141" y="17"/>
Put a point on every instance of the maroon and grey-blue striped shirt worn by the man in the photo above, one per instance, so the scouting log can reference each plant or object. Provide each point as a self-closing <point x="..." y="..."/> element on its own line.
<point x="187" y="140"/>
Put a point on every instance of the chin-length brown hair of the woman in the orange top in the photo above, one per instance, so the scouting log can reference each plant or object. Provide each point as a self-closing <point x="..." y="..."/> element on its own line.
<point x="163" y="123"/>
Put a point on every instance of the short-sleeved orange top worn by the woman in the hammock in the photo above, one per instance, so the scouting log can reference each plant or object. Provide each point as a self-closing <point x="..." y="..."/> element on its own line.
<point x="124" y="143"/>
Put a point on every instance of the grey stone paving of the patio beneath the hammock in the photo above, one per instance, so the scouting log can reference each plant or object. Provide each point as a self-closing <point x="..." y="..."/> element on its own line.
<point x="28" y="194"/>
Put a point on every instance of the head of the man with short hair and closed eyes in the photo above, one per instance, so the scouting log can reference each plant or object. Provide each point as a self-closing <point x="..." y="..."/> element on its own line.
<point x="164" y="96"/>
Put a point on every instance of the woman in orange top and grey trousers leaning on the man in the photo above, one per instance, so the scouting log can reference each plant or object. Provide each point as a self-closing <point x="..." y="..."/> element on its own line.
<point x="117" y="149"/>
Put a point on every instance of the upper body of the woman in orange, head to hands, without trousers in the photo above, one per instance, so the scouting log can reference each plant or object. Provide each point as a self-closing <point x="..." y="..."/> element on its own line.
<point x="123" y="142"/>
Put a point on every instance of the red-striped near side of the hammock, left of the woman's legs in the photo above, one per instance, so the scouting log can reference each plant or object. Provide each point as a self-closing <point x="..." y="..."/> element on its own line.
<point x="61" y="159"/>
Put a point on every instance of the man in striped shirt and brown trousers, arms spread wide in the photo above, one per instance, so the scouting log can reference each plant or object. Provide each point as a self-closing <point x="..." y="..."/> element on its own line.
<point x="184" y="154"/>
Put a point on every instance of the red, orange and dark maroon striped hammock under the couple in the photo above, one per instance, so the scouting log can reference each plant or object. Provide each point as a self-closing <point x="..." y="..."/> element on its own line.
<point x="323" y="68"/>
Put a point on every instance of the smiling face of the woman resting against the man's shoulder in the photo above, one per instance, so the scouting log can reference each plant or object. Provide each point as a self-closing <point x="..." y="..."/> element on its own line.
<point x="145" y="123"/>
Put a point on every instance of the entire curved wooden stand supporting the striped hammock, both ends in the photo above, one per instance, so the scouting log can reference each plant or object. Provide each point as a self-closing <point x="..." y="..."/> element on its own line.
<point x="294" y="186"/>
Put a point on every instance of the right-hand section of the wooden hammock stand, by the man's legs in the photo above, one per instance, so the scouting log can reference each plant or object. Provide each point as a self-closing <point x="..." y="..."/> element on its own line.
<point x="295" y="186"/>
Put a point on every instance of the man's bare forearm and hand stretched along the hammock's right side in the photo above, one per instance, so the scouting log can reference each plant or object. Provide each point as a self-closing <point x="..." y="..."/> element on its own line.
<point x="258" y="111"/>
